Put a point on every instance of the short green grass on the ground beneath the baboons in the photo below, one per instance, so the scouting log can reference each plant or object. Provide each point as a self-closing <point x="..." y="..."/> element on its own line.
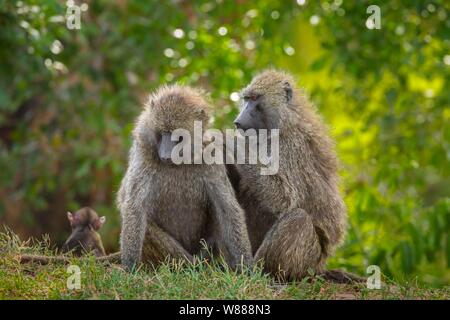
<point x="171" y="281"/>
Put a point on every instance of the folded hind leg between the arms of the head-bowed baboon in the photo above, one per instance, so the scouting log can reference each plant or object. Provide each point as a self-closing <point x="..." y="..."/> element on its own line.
<point x="158" y="245"/>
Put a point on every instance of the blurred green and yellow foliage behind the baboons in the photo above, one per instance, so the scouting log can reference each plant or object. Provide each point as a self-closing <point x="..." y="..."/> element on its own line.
<point x="68" y="99"/>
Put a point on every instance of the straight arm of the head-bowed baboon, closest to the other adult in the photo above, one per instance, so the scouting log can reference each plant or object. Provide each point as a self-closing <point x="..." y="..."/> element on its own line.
<point x="231" y="219"/>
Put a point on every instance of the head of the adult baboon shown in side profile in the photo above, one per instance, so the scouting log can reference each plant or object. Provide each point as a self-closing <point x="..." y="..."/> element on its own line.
<point x="264" y="100"/>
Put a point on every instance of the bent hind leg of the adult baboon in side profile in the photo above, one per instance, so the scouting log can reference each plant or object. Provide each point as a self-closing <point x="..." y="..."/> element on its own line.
<point x="291" y="247"/>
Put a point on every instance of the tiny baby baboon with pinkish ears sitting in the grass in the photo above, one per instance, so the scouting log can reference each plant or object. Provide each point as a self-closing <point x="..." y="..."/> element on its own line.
<point x="84" y="238"/>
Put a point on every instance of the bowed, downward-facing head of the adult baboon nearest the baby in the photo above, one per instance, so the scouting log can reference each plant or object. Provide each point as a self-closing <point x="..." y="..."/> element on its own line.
<point x="171" y="108"/>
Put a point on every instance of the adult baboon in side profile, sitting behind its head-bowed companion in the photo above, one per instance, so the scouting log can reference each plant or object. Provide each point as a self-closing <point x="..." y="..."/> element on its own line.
<point x="295" y="218"/>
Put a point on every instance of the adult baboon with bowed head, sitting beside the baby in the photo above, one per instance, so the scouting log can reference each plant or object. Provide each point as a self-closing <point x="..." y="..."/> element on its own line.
<point x="167" y="209"/>
